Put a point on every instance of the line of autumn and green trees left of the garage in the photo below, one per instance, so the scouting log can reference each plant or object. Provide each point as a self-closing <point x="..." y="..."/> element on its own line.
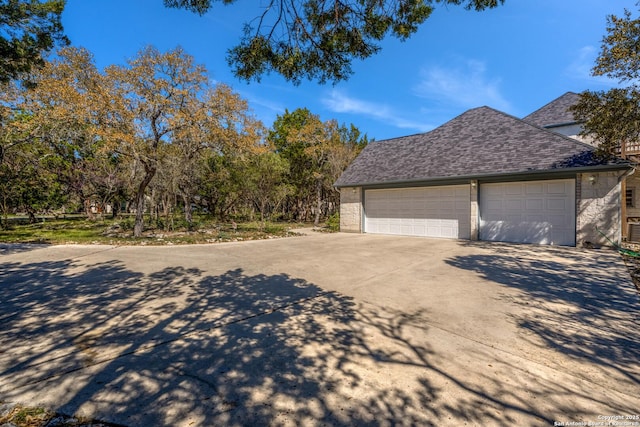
<point x="155" y="135"/>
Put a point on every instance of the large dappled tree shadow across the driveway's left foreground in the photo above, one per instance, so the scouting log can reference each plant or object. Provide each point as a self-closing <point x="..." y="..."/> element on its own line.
<point x="181" y="347"/>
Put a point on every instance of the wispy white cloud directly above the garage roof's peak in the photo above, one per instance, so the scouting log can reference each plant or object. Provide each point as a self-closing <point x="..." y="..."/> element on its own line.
<point x="466" y="85"/>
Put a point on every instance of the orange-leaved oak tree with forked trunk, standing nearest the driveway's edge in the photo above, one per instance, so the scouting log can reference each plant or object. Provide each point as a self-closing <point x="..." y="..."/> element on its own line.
<point x="153" y="94"/>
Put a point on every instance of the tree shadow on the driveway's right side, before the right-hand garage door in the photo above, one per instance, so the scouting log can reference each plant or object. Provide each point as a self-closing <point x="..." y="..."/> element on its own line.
<point x="574" y="303"/>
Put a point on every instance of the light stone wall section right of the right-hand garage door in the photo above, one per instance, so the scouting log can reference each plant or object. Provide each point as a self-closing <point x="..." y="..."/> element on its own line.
<point x="598" y="205"/>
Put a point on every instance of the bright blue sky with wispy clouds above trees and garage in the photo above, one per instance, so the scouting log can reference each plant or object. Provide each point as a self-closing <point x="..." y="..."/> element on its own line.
<point x="514" y="58"/>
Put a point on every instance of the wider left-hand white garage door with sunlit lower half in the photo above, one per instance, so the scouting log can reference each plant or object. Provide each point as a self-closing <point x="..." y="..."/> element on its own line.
<point x="423" y="211"/>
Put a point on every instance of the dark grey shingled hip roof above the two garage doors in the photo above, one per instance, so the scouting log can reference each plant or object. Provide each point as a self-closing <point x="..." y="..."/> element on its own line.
<point x="481" y="142"/>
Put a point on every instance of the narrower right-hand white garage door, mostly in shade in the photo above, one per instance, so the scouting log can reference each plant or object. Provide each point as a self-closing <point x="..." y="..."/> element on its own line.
<point x="529" y="212"/>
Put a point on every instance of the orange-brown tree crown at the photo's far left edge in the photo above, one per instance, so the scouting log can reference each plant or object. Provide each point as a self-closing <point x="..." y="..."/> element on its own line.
<point x="54" y="120"/>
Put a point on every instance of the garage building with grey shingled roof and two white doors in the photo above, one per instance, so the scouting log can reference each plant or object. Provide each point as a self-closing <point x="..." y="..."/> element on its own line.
<point x="485" y="175"/>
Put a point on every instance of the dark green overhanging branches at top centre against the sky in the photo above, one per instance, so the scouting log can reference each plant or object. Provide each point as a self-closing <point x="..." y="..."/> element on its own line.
<point x="317" y="39"/>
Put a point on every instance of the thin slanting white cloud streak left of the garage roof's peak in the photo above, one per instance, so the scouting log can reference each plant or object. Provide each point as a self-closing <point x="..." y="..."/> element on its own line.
<point x="338" y="102"/>
